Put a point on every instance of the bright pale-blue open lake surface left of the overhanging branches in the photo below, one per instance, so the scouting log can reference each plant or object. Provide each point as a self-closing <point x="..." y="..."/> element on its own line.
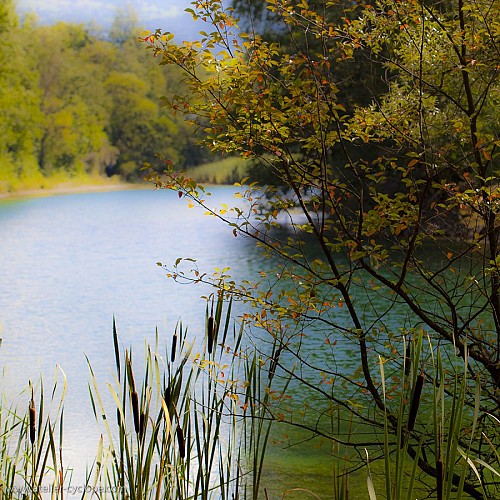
<point x="69" y="263"/>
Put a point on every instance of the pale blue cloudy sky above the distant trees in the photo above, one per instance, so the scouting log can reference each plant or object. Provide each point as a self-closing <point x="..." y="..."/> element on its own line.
<point x="168" y="15"/>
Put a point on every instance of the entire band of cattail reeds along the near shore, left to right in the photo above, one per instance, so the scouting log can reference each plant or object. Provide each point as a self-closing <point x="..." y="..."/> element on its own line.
<point x="192" y="419"/>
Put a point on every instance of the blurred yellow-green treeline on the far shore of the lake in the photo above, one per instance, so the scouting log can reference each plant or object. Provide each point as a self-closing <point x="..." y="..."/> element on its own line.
<point x="76" y="104"/>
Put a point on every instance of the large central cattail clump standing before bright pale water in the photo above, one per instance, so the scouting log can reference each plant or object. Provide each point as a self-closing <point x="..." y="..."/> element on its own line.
<point x="176" y="429"/>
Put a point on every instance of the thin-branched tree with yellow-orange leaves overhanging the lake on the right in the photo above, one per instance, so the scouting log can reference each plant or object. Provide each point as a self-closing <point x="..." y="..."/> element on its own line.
<point x="359" y="226"/>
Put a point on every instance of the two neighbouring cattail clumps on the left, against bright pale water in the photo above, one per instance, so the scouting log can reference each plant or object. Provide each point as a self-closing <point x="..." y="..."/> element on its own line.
<point x="169" y="424"/>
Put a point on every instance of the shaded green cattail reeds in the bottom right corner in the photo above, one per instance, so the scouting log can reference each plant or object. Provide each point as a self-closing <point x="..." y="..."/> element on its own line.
<point x="427" y="407"/>
